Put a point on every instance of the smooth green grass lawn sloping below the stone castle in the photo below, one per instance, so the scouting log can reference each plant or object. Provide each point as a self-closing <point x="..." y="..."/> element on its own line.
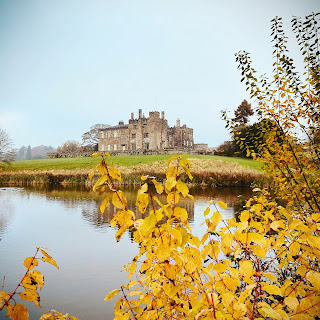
<point x="87" y="163"/>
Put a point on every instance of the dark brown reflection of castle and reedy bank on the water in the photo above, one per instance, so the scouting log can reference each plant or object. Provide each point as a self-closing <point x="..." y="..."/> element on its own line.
<point x="89" y="201"/>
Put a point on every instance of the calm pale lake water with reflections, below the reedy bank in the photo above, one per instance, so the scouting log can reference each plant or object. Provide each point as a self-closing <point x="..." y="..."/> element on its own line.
<point x="68" y="222"/>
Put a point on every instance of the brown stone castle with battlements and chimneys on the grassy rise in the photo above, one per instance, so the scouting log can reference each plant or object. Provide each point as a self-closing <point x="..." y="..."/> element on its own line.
<point x="145" y="133"/>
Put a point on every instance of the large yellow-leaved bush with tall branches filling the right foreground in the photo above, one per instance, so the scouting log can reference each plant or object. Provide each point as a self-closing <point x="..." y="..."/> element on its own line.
<point x="262" y="264"/>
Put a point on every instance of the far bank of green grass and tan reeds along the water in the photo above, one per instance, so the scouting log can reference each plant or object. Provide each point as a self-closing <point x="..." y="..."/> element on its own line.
<point x="206" y="170"/>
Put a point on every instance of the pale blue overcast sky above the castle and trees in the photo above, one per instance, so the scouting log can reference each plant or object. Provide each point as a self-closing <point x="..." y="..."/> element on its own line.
<point x="67" y="65"/>
